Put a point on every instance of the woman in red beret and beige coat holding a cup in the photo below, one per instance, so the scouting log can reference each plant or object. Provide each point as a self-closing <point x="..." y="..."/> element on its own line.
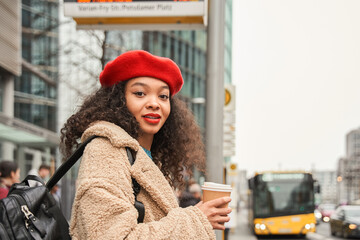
<point x="136" y="107"/>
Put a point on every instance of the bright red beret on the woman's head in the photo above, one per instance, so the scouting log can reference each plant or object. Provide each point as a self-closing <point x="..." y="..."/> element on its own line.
<point x="139" y="63"/>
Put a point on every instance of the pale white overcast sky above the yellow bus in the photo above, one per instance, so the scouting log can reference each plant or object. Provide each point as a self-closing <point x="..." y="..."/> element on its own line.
<point x="297" y="70"/>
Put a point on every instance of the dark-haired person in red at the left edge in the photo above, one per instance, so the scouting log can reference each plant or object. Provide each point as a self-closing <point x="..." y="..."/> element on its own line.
<point x="9" y="174"/>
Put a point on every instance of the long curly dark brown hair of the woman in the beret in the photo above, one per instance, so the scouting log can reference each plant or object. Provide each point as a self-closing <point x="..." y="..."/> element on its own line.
<point x="176" y="148"/>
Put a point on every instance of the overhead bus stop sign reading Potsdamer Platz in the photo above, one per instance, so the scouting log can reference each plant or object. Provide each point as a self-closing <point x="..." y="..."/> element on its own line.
<point x="137" y="15"/>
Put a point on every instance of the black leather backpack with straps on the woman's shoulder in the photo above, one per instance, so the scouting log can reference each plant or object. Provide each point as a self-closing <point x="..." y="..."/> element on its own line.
<point x="32" y="213"/>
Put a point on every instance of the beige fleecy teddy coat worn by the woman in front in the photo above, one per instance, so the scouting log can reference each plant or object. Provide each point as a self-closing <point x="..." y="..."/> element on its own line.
<point x="104" y="200"/>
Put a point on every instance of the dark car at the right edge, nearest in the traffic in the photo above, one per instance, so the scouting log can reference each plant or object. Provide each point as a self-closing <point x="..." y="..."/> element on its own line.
<point x="345" y="221"/>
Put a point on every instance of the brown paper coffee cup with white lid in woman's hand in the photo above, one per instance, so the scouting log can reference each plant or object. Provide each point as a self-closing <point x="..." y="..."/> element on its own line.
<point x="215" y="190"/>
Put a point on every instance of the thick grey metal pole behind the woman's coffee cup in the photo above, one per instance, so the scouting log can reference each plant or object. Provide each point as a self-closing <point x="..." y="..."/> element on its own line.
<point x="215" y="94"/>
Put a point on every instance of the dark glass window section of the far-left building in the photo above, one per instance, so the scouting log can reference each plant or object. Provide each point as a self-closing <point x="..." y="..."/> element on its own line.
<point x="36" y="97"/>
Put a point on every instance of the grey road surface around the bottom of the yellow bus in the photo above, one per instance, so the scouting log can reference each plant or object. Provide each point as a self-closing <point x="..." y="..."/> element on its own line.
<point x="242" y="231"/>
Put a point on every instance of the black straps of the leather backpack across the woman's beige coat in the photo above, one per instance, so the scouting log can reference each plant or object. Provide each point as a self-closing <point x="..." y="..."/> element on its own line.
<point x="64" y="168"/>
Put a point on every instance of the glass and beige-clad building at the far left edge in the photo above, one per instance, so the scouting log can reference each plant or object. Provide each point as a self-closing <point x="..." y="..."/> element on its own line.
<point x="28" y="82"/>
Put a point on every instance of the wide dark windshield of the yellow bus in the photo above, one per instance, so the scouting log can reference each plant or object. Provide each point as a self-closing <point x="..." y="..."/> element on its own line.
<point x="283" y="196"/>
